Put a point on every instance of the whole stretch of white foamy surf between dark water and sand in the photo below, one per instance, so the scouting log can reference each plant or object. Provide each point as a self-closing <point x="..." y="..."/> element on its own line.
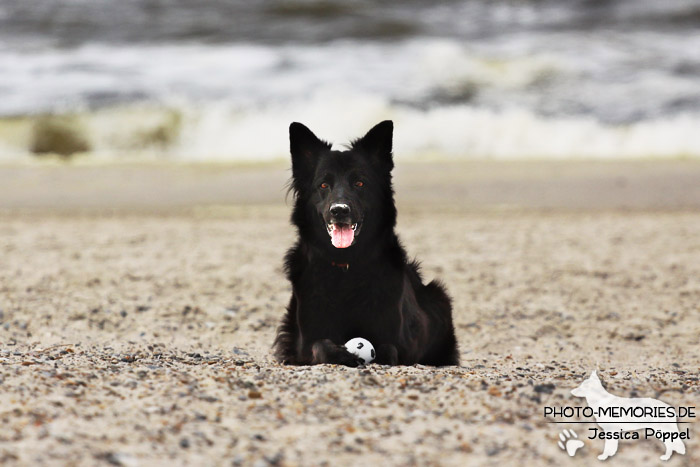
<point x="523" y="97"/>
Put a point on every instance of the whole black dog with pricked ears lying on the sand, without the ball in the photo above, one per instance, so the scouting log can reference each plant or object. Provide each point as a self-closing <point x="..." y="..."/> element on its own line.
<point x="349" y="272"/>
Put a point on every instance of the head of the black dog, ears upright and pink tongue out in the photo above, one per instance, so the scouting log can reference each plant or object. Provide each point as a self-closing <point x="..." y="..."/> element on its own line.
<point x="340" y="194"/>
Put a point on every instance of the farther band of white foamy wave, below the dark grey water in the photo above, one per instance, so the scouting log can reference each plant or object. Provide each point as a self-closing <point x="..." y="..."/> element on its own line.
<point x="610" y="77"/>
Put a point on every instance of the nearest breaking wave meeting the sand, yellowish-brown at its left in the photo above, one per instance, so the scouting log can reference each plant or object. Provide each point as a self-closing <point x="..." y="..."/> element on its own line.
<point x="218" y="132"/>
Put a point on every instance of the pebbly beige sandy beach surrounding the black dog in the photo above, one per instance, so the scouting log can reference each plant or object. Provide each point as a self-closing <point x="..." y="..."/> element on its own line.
<point x="138" y="304"/>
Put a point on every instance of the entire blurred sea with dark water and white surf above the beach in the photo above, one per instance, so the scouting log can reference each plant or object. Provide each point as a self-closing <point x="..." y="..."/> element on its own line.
<point x="221" y="80"/>
